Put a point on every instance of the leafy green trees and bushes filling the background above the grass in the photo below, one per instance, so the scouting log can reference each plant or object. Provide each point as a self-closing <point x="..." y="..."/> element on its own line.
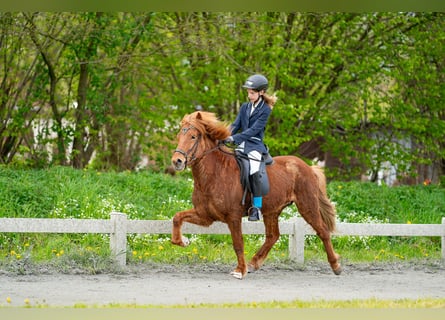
<point x="107" y="88"/>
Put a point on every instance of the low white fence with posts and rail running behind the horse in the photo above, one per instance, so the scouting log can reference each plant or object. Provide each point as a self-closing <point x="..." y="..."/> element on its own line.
<point x="118" y="227"/>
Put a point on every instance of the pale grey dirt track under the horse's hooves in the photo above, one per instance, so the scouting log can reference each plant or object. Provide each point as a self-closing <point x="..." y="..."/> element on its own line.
<point x="166" y="285"/>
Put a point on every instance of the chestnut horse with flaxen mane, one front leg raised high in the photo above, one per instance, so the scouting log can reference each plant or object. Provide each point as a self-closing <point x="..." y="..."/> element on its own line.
<point x="217" y="194"/>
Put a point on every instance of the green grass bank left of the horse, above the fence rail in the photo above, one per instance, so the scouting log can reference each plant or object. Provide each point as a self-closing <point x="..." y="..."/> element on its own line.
<point x="61" y="192"/>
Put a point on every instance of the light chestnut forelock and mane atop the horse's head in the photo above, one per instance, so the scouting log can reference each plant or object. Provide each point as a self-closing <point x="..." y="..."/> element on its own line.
<point x="208" y="124"/>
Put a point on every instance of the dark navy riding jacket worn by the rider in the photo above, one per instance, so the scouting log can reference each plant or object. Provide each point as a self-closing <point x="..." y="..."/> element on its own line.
<point x="251" y="127"/>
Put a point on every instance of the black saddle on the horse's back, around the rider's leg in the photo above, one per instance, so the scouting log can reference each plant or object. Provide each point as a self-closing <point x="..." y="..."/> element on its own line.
<point x="243" y="163"/>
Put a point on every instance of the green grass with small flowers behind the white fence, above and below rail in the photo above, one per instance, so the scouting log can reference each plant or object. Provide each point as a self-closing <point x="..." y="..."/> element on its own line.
<point x="61" y="192"/>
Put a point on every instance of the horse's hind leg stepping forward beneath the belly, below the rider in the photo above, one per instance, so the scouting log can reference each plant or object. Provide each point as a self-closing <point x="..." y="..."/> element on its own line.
<point x="272" y="235"/>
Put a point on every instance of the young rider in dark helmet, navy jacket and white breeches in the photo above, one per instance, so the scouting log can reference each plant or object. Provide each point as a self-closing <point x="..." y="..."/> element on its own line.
<point x="251" y="122"/>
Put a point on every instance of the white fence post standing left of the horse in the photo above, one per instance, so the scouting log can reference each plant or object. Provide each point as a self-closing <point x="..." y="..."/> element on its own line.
<point x="118" y="237"/>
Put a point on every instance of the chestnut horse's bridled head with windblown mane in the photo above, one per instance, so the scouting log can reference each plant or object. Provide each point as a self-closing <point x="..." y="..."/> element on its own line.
<point x="199" y="132"/>
